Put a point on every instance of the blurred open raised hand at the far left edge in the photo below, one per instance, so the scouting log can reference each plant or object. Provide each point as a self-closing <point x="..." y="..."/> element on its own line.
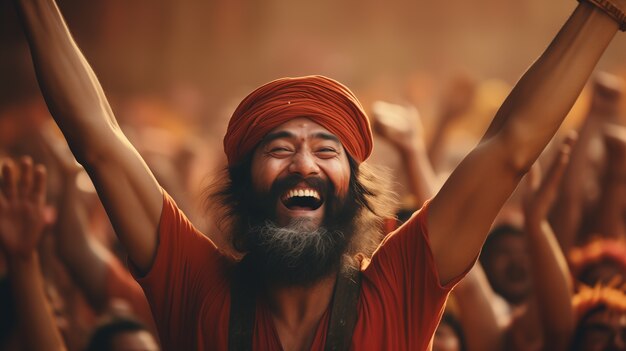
<point x="22" y="203"/>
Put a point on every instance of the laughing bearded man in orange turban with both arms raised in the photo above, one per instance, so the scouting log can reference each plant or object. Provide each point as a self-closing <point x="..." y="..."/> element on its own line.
<point x="306" y="155"/>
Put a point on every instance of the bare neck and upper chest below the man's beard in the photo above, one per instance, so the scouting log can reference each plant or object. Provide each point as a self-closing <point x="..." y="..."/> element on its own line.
<point x="297" y="311"/>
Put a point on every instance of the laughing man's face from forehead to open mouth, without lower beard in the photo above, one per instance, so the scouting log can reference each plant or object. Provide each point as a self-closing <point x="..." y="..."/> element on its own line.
<point x="296" y="164"/>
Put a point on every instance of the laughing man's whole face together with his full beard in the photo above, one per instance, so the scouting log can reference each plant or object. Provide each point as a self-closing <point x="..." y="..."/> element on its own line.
<point x="300" y="210"/>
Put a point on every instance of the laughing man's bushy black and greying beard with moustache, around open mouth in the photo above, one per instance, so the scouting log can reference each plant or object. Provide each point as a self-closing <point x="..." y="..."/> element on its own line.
<point x="298" y="254"/>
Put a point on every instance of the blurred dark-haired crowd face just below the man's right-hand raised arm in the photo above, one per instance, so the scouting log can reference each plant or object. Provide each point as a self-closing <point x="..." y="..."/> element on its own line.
<point x="507" y="266"/>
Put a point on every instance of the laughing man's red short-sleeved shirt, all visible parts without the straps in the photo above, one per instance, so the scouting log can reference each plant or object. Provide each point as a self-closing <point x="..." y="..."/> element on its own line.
<point x="188" y="288"/>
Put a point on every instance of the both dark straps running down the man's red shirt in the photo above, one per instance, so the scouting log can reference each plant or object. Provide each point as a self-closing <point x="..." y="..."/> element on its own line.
<point x="343" y="314"/>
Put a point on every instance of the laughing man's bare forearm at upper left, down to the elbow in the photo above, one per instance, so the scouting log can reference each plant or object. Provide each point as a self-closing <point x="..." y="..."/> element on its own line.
<point x="68" y="84"/>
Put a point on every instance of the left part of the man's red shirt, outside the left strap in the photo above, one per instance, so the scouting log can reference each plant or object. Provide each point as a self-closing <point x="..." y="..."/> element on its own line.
<point x="188" y="270"/>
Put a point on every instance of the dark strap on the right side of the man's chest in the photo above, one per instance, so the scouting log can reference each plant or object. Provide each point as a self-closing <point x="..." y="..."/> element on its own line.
<point x="344" y="311"/>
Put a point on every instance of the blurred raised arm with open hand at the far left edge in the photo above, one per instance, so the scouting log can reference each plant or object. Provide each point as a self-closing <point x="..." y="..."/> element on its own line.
<point x="22" y="201"/>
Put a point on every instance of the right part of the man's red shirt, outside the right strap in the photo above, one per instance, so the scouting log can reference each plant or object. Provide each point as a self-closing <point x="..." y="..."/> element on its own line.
<point x="402" y="297"/>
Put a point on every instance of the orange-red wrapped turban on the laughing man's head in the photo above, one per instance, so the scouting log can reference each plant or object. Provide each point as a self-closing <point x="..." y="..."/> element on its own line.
<point x="323" y="100"/>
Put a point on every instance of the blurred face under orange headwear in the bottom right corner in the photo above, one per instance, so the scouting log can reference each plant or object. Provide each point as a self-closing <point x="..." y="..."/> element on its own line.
<point x="603" y="330"/>
